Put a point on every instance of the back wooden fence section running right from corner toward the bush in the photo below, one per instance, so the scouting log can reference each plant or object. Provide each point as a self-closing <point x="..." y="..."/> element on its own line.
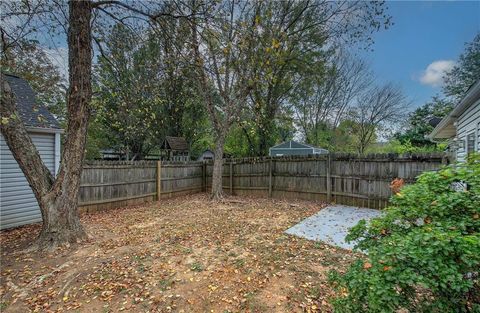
<point x="340" y="178"/>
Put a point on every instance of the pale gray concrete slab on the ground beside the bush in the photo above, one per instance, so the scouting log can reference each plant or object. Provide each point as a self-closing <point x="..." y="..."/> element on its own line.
<point x="331" y="224"/>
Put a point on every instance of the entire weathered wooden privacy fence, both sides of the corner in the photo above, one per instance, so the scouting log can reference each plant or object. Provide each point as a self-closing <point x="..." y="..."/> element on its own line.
<point x="340" y="178"/>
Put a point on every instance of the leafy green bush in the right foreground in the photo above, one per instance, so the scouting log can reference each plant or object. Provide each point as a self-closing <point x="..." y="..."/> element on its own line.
<point x="423" y="254"/>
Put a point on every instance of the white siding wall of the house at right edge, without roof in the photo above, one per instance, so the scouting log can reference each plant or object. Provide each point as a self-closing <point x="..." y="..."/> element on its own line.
<point x="468" y="123"/>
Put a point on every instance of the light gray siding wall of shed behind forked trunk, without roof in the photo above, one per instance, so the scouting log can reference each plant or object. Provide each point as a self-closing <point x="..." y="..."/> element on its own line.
<point x="18" y="205"/>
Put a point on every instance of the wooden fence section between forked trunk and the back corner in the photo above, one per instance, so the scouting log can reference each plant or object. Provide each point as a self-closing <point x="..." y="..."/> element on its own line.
<point x="109" y="184"/>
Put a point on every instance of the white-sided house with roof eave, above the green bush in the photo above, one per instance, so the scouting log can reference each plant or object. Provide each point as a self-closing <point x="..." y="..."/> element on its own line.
<point x="462" y="126"/>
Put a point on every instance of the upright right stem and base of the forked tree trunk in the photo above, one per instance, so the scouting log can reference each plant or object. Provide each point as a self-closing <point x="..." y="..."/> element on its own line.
<point x="61" y="223"/>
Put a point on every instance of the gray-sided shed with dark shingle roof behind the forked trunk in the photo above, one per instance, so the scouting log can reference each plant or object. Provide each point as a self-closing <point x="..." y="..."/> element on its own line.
<point x="18" y="205"/>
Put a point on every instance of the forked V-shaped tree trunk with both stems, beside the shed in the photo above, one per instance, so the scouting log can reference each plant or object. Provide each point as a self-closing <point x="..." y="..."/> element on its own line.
<point x="58" y="199"/>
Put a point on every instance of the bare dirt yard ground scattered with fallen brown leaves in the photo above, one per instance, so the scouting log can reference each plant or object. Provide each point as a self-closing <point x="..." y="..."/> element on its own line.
<point x="185" y="254"/>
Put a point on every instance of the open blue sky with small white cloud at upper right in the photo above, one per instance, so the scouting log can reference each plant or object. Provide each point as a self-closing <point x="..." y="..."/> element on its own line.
<point x="423" y="33"/>
